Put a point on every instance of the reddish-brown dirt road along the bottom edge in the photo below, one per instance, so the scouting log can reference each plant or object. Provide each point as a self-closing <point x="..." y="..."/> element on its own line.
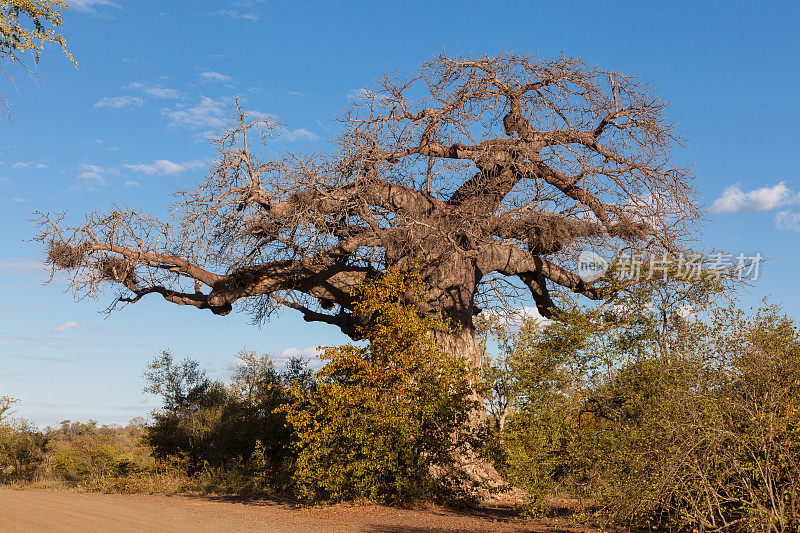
<point x="42" y="511"/>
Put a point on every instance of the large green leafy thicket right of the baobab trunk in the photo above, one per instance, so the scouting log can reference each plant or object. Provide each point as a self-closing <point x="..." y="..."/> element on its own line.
<point x="687" y="420"/>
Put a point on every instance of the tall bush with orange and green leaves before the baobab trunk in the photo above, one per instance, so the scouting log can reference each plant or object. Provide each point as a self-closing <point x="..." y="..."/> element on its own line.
<point x="387" y="421"/>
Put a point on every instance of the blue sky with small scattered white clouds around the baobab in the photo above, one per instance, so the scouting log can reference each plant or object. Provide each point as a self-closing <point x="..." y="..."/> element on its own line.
<point x="155" y="77"/>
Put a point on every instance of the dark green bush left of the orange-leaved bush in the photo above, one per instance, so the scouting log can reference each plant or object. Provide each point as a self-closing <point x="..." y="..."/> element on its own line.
<point x="232" y="435"/>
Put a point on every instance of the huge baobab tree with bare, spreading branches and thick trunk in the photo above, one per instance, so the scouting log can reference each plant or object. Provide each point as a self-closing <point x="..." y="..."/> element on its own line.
<point x="489" y="174"/>
